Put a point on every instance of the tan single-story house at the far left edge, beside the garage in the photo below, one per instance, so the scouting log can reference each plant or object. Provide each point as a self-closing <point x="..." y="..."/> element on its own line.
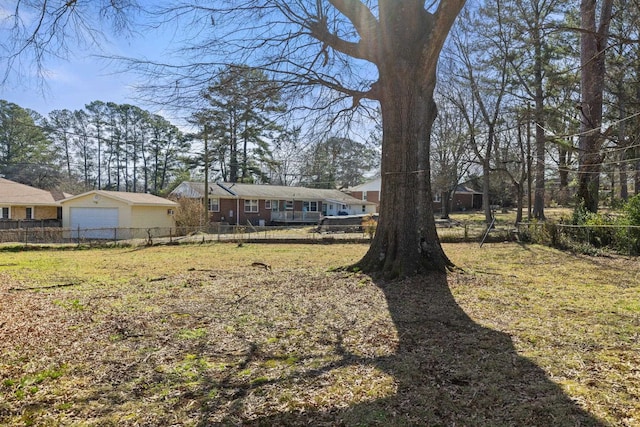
<point x="24" y="206"/>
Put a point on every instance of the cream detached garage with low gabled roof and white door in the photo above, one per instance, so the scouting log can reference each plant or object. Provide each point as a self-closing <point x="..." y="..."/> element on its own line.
<point x="103" y="214"/>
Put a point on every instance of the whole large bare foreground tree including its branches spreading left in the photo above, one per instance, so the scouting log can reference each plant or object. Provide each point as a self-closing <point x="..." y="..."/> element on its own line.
<point x="340" y="53"/>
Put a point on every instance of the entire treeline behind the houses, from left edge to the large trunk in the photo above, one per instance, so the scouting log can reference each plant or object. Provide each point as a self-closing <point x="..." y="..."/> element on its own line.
<point x="122" y="147"/>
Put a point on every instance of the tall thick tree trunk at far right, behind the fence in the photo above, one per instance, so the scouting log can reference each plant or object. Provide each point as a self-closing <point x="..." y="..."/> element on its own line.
<point x="593" y="42"/>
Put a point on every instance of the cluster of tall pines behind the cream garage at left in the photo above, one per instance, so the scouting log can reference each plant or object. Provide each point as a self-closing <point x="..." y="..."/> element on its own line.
<point x="103" y="146"/>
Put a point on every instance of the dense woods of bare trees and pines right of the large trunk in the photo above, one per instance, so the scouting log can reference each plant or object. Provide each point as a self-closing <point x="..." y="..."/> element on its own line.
<point x="540" y="101"/>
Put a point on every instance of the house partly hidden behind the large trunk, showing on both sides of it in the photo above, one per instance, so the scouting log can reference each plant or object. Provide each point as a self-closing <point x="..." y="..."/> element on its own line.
<point x="465" y="198"/>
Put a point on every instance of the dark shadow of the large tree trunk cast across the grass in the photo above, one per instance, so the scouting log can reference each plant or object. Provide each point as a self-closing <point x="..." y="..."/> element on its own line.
<point x="449" y="371"/>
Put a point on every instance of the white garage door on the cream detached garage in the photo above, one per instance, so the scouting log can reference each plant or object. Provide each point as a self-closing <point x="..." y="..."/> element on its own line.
<point x="93" y="223"/>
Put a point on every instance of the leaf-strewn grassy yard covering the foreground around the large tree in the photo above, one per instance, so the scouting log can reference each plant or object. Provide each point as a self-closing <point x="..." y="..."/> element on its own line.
<point x="217" y="334"/>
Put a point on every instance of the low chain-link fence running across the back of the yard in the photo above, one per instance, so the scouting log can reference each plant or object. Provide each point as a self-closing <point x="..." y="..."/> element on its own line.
<point x="624" y="239"/>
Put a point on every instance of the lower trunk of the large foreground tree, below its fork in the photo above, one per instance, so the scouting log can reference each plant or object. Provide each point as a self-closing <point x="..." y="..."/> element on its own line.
<point x="406" y="241"/>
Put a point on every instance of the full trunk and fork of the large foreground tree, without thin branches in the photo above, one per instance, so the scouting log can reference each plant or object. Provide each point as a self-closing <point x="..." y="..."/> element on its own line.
<point x="405" y="48"/>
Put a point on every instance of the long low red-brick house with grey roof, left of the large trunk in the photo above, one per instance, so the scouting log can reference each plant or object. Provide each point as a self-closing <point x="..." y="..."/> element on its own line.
<point x="238" y="203"/>
